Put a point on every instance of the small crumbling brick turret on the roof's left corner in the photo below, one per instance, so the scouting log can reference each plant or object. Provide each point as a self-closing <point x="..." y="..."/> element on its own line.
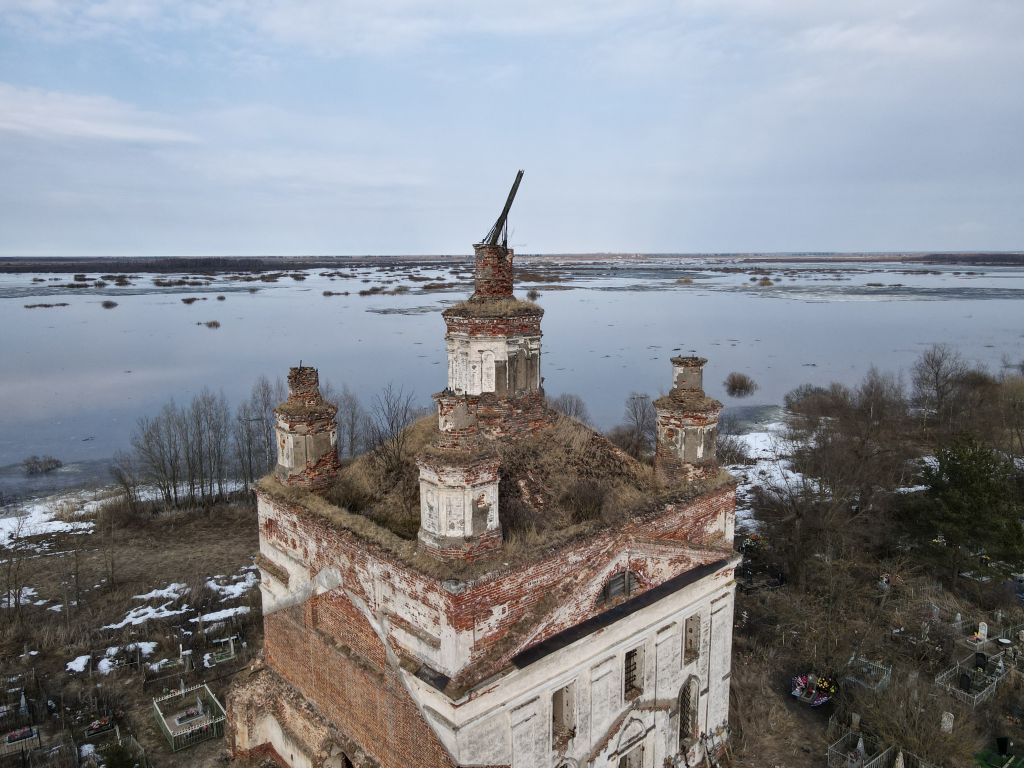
<point x="308" y="433"/>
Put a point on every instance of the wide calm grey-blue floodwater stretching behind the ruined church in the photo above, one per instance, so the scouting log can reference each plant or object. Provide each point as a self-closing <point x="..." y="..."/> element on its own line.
<point x="74" y="380"/>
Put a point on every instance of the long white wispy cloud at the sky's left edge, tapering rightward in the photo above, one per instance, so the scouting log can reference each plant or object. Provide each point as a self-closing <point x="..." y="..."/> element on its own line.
<point x="52" y="114"/>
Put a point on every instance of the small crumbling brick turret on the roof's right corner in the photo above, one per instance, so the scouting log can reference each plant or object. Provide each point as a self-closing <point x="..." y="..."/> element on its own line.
<point x="688" y="425"/>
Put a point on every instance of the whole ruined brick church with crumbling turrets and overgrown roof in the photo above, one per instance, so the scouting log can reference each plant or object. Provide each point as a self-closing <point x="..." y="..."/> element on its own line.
<point x="504" y="588"/>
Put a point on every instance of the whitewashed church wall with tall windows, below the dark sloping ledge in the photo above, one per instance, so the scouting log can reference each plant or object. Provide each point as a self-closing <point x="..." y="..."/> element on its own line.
<point x="511" y="722"/>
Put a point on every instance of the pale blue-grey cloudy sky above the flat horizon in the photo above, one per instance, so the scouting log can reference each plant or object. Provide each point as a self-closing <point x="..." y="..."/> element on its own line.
<point x="397" y="126"/>
